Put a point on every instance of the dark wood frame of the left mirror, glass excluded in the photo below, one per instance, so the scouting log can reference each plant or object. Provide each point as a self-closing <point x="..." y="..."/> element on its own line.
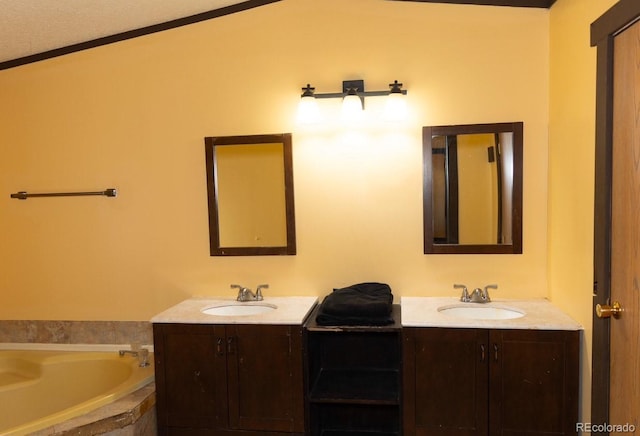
<point x="214" y="228"/>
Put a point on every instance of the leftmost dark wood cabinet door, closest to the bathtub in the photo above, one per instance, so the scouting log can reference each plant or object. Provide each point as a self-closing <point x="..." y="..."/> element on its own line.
<point x="190" y="365"/>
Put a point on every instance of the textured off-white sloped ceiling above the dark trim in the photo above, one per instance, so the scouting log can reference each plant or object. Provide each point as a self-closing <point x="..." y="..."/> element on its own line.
<point x="29" y="27"/>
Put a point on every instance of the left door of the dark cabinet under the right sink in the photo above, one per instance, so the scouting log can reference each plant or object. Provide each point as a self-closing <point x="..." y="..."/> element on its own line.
<point x="445" y="381"/>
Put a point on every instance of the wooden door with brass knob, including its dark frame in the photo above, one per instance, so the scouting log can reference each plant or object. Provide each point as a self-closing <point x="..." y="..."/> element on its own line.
<point x="614" y="394"/>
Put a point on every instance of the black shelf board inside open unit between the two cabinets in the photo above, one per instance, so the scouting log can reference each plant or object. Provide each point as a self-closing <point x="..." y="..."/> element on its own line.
<point x="356" y="385"/>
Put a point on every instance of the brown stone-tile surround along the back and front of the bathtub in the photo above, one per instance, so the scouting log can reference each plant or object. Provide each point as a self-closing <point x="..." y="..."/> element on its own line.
<point x="132" y="415"/>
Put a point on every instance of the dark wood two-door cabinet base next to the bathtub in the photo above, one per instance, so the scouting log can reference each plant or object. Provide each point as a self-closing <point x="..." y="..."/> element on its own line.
<point x="229" y="379"/>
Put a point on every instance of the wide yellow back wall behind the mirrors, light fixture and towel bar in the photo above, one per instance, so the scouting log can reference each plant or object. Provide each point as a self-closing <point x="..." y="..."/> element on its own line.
<point x="133" y="116"/>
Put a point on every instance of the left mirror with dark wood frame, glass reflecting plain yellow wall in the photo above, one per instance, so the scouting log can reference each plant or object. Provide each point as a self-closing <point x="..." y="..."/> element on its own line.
<point x="250" y="194"/>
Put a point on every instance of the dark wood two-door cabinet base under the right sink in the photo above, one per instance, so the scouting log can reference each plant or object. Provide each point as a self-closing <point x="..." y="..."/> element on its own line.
<point x="490" y="382"/>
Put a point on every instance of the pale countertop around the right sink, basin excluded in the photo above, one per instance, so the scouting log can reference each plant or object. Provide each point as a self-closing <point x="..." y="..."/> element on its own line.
<point x="539" y="314"/>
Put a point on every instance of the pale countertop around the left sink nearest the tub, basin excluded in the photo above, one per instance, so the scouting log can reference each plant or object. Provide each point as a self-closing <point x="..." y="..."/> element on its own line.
<point x="289" y="311"/>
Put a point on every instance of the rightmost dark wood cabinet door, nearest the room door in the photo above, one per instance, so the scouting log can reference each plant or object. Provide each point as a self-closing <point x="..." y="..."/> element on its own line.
<point x="534" y="382"/>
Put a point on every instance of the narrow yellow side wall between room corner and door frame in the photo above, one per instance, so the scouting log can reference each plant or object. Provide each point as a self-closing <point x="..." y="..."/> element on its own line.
<point x="571" y="166"/>
